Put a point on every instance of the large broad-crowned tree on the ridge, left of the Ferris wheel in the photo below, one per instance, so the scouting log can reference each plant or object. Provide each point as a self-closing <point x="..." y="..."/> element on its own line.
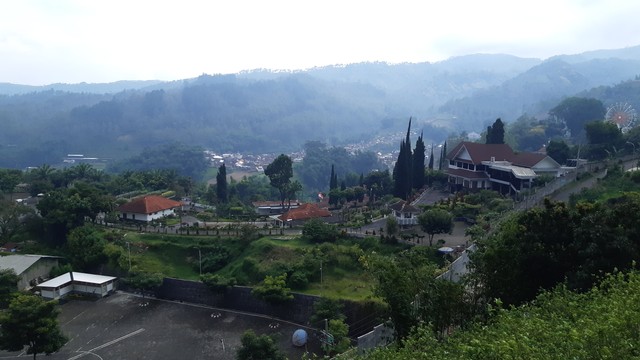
<point x="576" y="112"/>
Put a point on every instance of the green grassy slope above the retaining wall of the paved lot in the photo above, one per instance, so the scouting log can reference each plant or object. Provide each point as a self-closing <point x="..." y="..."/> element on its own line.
<point x="341" y="275"/>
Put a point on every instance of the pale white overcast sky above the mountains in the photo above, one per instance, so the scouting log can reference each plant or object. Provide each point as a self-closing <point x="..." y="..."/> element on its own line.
<point x="72" y="41"/>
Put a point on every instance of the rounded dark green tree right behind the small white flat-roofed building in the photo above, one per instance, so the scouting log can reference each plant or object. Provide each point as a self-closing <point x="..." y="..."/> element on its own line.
<point x="85" y="247"/>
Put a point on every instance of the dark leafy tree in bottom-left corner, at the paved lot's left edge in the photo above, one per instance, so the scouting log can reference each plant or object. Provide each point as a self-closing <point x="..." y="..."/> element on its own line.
<point x="30" y="321"/>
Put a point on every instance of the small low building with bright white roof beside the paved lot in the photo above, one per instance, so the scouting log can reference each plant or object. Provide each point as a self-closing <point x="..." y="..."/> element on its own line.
<point x="77" y="283"/>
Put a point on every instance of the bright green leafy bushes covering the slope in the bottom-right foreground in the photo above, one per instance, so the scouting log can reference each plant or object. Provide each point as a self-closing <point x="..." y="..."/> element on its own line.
<point x="598" y="324"/>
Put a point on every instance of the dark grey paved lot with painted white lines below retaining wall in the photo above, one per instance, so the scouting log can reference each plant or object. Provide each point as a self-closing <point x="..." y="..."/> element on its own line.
<point x="125" y="326"/>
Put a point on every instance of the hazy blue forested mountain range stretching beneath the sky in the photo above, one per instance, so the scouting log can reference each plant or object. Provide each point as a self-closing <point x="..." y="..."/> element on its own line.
<point x="264" y="111"/>
